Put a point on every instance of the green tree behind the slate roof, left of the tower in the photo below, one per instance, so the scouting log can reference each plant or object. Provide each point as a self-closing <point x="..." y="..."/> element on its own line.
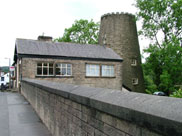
<point x="82" y="31"/>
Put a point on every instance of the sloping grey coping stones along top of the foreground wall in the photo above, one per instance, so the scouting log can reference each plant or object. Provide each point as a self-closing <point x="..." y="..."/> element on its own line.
<point x="157" y="113"/>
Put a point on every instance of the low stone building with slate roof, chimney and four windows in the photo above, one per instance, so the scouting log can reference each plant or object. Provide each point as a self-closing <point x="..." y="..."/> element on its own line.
<point x="88" y="65"/>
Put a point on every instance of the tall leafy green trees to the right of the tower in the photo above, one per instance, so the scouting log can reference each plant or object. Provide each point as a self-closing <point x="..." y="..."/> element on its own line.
<point x="162" y="23"/>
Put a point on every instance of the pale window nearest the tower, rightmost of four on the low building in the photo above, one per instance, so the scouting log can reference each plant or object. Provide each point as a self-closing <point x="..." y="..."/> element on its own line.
<point x="107" y="70"/>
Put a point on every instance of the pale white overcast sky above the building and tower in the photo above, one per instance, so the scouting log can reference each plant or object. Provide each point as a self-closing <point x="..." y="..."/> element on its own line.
<point x="30" y="18"/>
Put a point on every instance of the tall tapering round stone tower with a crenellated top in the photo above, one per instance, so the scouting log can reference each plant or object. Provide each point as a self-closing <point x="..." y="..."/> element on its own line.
<point x="118" y="31"/>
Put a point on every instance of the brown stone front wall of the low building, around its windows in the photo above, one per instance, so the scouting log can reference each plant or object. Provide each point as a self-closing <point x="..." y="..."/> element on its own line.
<point x="29" y="70"/>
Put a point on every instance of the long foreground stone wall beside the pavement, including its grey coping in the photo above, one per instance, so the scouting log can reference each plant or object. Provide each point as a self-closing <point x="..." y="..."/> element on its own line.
<point x="70" y="110"/>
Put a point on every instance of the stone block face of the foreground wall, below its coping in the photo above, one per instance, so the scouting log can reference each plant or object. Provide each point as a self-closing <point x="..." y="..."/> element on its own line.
<point x="64" y="117"/>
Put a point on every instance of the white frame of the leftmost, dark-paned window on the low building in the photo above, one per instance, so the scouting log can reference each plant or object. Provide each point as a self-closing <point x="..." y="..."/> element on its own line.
<point x="42" y="68"/>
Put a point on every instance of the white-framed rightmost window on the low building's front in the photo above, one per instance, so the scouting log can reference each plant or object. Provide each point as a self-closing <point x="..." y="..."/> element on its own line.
<point x="109" y="68"/>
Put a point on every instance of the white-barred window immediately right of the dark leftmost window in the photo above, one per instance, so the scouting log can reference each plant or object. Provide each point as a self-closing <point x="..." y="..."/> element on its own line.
<point x="63" y="69"/>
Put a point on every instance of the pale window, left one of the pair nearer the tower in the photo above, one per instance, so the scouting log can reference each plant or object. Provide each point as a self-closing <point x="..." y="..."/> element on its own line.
<point x="92" y="70"/>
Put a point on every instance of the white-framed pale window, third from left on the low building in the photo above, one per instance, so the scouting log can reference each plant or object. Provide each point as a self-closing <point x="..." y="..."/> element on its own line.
<point x="94" y="68"/>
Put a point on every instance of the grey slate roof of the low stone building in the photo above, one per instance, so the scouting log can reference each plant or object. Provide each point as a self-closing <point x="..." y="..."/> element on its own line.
<point x="63" y="49"/>
